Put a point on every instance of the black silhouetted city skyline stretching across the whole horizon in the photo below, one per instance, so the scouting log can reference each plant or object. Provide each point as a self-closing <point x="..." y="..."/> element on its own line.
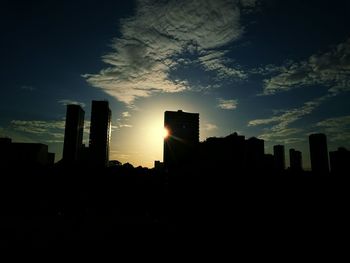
<point x="183" y="153"/>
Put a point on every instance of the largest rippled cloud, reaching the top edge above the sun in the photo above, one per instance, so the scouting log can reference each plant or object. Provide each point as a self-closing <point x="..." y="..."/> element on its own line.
<point x="159" y="35"/>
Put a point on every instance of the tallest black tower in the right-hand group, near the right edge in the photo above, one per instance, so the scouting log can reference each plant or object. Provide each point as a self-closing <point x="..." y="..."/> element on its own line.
<point x="318" y="153"/>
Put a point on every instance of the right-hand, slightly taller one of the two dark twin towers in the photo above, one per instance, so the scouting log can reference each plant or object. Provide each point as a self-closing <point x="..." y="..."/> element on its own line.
<point x="100" y="133"/>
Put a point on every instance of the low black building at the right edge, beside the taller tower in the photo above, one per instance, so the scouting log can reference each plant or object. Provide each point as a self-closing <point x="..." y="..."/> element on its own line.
<point x="340" y="161"/>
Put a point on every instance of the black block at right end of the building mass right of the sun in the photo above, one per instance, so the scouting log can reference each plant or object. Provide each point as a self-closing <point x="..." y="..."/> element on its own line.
<point x="255" y="154"/>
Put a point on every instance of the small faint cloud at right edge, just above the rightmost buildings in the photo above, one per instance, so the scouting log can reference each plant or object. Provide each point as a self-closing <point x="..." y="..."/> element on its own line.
<point x="337" y="129"/>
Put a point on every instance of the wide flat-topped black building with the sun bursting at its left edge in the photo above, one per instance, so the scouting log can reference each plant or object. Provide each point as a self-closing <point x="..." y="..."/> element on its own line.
<point x="183" y="139"/>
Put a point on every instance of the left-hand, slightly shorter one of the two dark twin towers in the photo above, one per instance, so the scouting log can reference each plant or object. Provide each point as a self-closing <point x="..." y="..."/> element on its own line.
<point x="73" y="134"/>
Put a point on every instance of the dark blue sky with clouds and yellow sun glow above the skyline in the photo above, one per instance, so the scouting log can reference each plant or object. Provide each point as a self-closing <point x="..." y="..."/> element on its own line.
<point x="276" y="70"/>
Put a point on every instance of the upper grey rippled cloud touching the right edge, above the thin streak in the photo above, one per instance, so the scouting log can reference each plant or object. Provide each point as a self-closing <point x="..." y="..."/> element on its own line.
<point x="330" y="69"/>
